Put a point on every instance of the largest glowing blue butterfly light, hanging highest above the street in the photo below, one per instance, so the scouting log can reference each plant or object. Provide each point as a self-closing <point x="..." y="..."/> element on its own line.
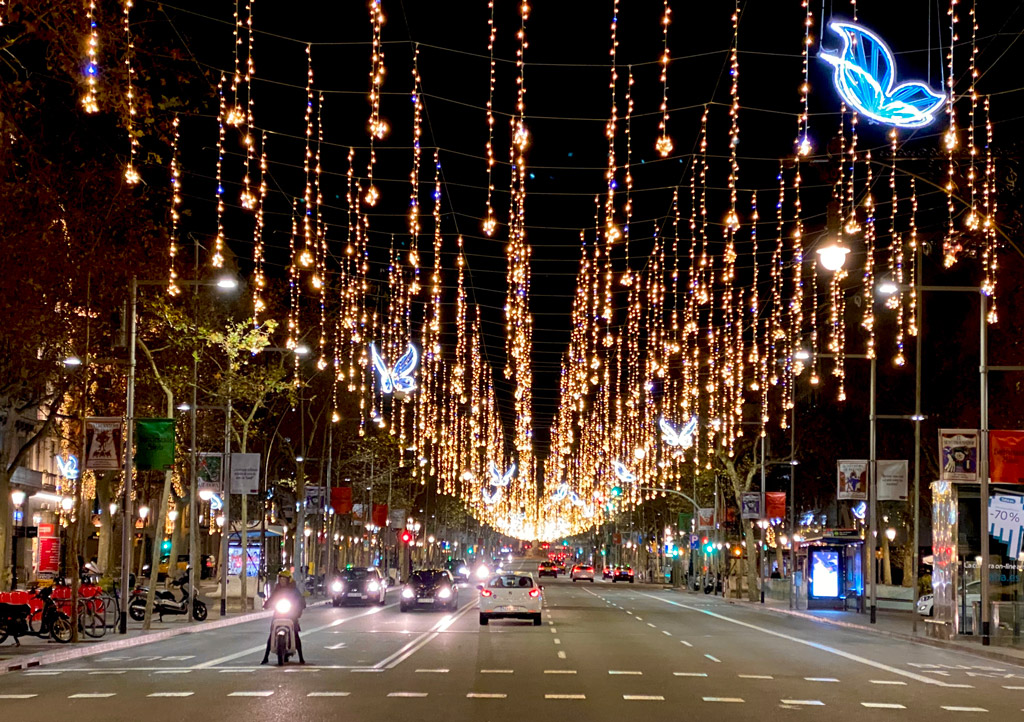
<point x="866" y="77"/>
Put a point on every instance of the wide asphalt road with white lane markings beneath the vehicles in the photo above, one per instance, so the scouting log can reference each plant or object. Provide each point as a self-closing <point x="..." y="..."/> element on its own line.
<point x="606" y="652"/>
